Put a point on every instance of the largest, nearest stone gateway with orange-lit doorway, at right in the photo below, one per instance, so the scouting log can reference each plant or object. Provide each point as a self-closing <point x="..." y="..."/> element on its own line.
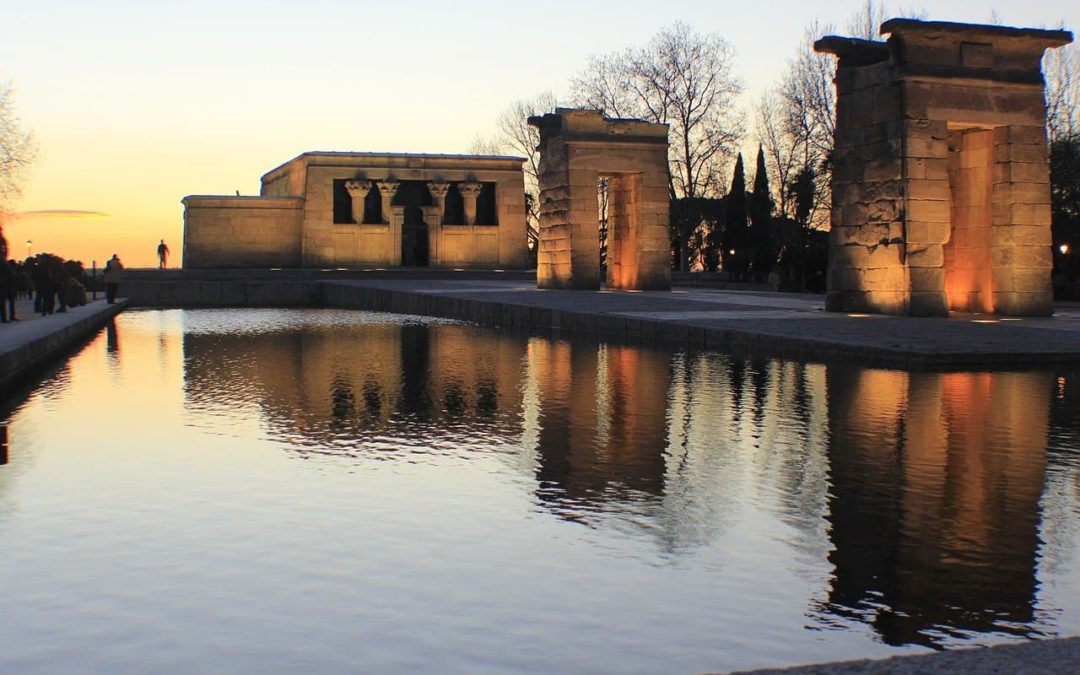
<point x="941" y="187"/>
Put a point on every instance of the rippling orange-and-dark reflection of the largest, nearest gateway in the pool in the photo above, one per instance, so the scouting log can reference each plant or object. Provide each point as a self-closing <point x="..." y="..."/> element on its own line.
<point x="935" y="508"/>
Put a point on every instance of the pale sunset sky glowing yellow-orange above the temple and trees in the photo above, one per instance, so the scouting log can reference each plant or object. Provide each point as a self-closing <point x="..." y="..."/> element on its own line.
<point x="136" y="105"/>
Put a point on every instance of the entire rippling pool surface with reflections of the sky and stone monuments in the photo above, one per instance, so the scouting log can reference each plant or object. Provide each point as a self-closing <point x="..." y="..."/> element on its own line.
<point x="340" y="492"/>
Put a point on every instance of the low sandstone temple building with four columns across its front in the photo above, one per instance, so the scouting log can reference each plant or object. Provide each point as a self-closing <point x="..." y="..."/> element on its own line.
<point x="367" y="210"/>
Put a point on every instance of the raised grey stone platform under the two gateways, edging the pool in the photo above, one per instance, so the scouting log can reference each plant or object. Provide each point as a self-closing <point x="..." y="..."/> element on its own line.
<point x="768" y="325"/>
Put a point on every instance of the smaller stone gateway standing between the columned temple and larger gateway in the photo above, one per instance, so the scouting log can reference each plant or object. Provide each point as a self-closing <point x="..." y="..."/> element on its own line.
<point x="577" y="148"/>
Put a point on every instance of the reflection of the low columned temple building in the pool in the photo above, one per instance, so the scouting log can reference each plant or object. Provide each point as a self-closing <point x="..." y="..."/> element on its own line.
<point x="323" y="389"/>
